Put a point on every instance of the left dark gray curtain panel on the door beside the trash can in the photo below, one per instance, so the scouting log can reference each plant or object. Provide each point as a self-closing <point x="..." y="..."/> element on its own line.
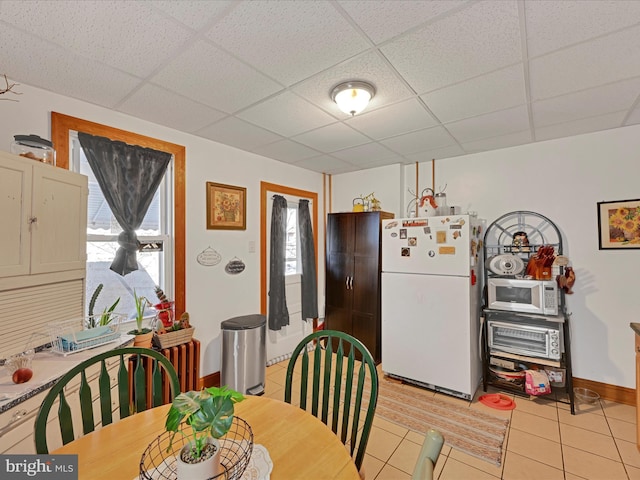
<point x="278" y="313"/>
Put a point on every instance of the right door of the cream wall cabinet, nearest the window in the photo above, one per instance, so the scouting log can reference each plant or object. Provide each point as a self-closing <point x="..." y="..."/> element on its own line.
<point x="59" y="234"/>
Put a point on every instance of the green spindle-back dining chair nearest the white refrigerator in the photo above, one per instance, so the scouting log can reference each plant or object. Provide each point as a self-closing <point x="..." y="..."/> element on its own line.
<point x="339" y="374"/>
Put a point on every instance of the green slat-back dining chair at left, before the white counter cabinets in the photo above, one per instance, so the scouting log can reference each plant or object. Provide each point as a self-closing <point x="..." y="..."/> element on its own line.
<point x="135" y="381"/>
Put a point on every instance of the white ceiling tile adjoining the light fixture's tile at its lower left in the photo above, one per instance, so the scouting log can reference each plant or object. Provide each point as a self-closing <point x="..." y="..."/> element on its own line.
<point x="287" y="114"/>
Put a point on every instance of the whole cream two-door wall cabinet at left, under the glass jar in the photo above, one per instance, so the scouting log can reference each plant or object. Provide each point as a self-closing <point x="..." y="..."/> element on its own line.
<point x="44" y="216"/>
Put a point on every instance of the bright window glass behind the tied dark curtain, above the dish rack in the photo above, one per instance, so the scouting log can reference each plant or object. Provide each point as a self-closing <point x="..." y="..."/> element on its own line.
<point x="154" y="261"/>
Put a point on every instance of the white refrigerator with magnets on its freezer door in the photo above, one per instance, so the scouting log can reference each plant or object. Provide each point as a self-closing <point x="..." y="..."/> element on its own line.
<point x="430" y="302"/>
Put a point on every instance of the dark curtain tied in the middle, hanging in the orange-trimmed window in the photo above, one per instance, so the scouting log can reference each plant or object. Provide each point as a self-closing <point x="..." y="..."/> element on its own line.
<point x="129" y="176"/>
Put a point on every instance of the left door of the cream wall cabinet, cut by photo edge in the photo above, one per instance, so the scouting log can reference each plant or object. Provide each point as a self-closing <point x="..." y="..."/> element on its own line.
<point x="15" y="211"/>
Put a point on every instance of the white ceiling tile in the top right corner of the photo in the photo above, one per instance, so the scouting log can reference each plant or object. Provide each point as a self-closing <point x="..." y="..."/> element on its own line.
<point x="552" y="24"/>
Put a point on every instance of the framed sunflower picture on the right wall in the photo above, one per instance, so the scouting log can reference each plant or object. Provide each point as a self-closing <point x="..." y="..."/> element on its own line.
<point x="619" y="224"/>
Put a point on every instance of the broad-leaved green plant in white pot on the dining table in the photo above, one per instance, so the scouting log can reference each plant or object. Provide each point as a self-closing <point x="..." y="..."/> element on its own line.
<point x="208" y="415"/>
